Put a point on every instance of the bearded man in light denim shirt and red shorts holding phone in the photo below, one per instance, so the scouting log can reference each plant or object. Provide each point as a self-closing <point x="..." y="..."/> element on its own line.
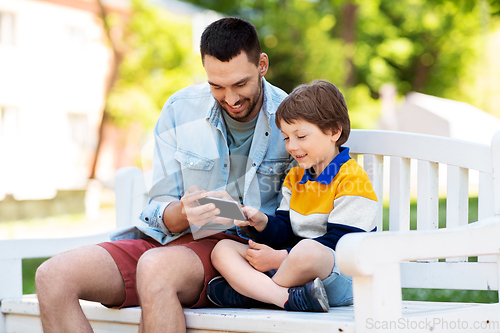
<point x="219" y="136"/>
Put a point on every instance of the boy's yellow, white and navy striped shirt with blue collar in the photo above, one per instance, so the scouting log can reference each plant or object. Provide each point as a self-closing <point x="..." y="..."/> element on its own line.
<point x="339" y="201"/>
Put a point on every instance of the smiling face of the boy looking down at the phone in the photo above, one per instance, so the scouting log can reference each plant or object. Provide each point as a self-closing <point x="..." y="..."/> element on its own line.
<point x="309" y="146"/>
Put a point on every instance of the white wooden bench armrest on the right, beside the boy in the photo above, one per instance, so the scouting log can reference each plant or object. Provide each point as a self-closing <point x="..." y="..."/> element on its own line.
<point x="357" y="254"/>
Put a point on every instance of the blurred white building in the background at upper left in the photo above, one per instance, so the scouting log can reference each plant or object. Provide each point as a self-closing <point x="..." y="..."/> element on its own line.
<point x="54" y="68"/>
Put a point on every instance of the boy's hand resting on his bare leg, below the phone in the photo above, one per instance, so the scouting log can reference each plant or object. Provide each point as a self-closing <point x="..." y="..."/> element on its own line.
<point x="264" y="258"/>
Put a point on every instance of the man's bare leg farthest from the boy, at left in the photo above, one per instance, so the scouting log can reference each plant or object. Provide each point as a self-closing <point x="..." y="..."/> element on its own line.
<point x="86" y="273"/>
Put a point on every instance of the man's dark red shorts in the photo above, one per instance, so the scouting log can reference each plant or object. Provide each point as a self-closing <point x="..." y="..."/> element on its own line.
<point x="126" y="254"/>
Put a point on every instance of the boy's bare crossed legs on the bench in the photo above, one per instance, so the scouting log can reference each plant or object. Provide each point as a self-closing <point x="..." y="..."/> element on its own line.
<point x="307" y="261"/>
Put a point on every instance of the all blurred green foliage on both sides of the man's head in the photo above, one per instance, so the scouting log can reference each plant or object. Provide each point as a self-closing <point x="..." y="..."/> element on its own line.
<point x="417" y="45"/>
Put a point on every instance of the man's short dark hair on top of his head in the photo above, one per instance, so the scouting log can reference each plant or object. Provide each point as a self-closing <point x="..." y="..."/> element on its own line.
<point x="224" y="39"/>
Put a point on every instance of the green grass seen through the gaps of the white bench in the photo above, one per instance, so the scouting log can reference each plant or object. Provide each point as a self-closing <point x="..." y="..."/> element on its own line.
<point x="441" y="295"/>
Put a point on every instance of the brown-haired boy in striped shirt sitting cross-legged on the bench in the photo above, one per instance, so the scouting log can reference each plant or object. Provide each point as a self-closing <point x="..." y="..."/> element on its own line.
<point x="327" y="196"/>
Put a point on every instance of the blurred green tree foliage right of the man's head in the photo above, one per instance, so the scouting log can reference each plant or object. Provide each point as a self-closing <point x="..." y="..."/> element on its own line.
<point x="418" y="45"/>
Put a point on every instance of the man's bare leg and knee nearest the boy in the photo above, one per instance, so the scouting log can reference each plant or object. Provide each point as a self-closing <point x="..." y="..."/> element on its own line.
<point x="167" y="279"/>
